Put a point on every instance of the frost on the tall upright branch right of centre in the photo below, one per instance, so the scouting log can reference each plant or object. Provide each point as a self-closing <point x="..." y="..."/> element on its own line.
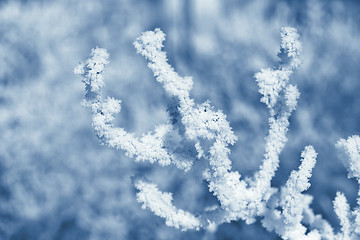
<point x="275" y="87"/>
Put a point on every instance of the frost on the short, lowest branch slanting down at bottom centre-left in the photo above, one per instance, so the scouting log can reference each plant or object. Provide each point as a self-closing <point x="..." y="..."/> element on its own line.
<point x="161" y="205"/>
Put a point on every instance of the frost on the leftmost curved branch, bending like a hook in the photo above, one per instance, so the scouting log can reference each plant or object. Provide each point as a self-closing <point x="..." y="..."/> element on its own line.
<point x="150" y="147"/>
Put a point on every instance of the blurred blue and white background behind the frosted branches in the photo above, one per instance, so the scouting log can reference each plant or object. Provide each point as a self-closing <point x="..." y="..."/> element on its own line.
<point x="58" y="182"/>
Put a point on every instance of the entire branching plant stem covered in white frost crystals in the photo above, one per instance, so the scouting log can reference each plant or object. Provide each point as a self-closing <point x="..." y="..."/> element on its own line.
<point x="284" y="210"/>
